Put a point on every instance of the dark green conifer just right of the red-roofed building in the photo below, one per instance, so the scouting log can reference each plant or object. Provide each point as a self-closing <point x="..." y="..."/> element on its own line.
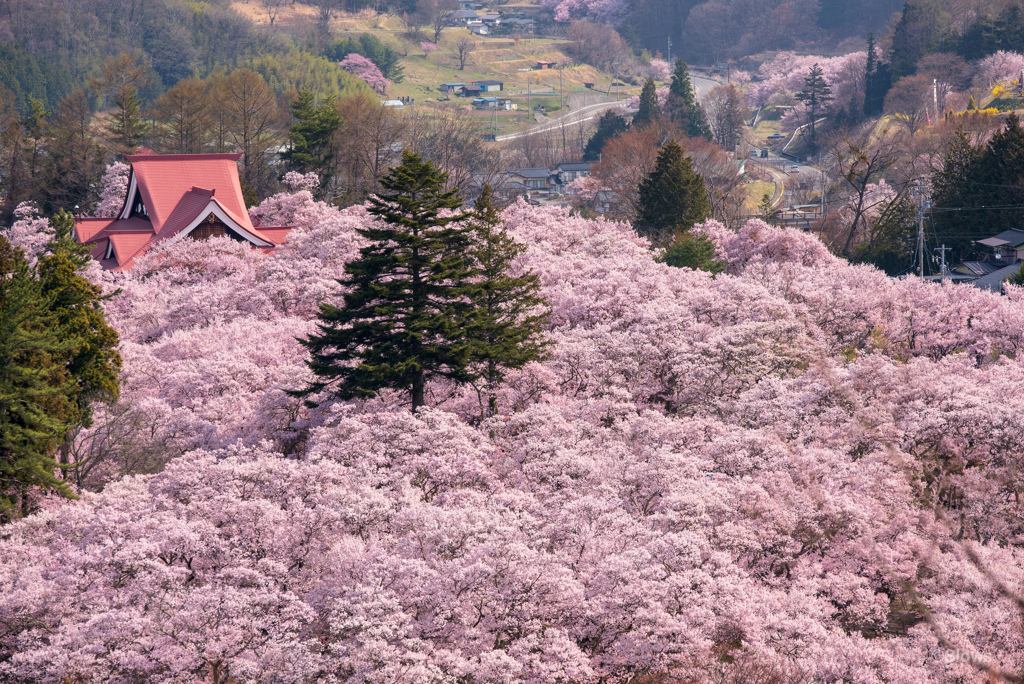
<point x="312" y="138"/>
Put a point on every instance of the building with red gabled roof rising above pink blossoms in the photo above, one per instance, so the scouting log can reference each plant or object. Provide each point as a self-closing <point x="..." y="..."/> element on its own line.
<point x="173" y="198"/>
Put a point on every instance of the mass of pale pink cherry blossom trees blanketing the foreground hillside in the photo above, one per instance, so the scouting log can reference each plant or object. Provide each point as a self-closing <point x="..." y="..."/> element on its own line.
<point x="798" y="471"/>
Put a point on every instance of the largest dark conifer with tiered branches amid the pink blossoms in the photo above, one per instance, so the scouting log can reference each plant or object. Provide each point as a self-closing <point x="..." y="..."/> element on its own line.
<point x="406" y="308"/>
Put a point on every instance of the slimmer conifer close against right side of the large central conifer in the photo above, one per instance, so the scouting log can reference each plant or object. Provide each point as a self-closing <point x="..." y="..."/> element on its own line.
<point x="507" y="331"/>
